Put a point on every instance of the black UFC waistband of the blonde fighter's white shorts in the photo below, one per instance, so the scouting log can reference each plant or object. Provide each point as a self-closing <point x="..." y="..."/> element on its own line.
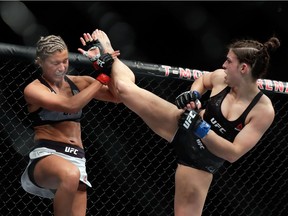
<point x="65" y="148"/>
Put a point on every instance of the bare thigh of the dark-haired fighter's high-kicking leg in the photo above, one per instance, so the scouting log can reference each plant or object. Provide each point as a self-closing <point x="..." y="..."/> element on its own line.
<point x="160" y="115"/>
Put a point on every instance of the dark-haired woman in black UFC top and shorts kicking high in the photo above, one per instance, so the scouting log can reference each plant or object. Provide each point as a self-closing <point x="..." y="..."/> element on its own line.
<point x="231" y="124"/>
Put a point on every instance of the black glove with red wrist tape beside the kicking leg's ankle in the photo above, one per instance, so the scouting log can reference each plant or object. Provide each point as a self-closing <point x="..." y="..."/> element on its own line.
<point x="103" y="66"/>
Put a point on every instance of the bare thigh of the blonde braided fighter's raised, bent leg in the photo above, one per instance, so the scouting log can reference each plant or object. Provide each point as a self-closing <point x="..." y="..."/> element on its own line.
<point x="49" y="171"/>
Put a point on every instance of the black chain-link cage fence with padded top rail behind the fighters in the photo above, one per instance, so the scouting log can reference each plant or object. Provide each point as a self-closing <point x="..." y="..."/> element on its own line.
<point x="131" y="168"/>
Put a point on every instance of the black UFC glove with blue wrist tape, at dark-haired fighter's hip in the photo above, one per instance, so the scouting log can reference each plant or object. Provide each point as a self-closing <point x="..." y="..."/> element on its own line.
<point x="191" y="120"/>
